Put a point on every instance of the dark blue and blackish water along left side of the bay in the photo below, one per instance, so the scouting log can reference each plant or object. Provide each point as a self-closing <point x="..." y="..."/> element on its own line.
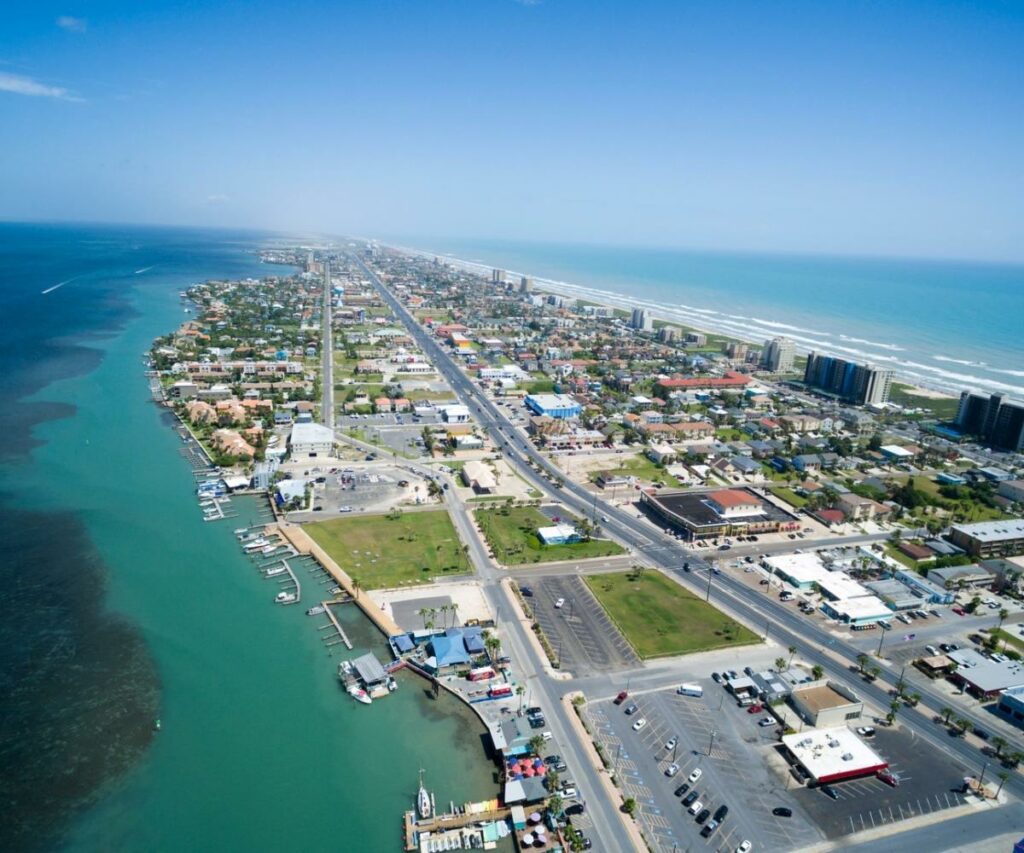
<point x="78" y="687"/>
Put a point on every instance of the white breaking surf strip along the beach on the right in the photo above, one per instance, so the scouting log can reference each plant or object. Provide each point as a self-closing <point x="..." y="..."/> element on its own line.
<point x="701" y="320"/>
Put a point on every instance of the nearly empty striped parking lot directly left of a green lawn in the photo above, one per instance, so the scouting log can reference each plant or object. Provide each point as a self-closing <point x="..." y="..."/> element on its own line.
<point x="580" y="631"/>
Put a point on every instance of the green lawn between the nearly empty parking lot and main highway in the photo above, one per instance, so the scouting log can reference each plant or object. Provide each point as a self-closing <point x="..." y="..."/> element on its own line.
<point x="660" y="618"/>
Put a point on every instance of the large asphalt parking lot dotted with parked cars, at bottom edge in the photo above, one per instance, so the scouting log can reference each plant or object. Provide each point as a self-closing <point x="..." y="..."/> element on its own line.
<point x="734" y="765"/>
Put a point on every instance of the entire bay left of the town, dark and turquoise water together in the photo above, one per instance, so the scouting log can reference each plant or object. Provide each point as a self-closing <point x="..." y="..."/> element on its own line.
<point x="121" y="606"/>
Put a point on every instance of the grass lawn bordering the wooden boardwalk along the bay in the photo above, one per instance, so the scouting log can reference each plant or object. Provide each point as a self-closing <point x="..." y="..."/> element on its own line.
<point x="382" y="551"/>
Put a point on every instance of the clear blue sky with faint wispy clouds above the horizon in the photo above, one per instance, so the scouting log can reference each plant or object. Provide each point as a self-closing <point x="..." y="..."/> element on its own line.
<point x="864" y="127"/>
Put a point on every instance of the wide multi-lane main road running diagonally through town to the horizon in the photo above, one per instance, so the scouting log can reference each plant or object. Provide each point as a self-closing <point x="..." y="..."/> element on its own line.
<point x="815" y="644"/>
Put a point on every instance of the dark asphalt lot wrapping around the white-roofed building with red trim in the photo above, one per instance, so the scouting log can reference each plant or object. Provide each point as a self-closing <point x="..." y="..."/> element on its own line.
<point x="929" y="782"/>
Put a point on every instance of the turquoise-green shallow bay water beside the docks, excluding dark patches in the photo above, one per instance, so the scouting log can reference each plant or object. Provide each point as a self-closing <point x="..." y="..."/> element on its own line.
<point x="260" y="748"/>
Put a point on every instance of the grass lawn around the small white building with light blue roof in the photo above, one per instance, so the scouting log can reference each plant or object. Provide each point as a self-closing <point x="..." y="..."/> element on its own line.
<point x="511" y="533"/>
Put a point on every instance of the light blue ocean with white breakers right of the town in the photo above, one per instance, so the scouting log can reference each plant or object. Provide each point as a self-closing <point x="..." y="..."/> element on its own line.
<point x="943" y="325"/>
